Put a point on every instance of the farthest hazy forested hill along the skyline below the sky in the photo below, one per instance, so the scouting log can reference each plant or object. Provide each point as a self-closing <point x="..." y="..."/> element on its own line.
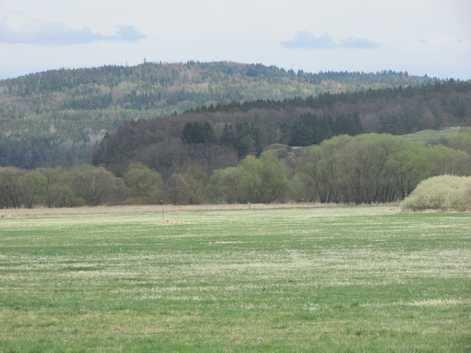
<point x="54" y="117"/>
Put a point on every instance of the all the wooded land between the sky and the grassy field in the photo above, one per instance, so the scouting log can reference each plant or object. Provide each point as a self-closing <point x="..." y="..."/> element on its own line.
<point x="248" y="133"/>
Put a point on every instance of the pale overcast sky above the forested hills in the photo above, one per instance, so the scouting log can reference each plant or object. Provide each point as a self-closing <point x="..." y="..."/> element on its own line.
<point x="421" y="36"/>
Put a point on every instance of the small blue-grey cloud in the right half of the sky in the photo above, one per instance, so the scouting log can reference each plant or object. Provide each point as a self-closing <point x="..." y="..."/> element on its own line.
<point x="306" y="40"/>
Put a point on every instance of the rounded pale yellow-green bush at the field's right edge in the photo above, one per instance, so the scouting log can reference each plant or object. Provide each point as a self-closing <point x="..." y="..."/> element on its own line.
<point x="440" y="193"/>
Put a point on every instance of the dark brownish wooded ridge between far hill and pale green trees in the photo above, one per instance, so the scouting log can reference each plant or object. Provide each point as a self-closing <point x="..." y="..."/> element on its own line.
<point x="219" y="136"/>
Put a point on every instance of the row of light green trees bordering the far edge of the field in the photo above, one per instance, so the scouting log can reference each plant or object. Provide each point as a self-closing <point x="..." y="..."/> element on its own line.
<point x="351" y="169"/>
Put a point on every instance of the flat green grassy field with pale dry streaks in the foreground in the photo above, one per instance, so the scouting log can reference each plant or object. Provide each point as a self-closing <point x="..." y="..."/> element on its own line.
<point x="234" y="280"/>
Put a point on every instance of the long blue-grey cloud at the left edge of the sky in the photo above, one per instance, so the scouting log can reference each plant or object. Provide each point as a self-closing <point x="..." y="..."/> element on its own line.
<point x="59" y="34"/>
